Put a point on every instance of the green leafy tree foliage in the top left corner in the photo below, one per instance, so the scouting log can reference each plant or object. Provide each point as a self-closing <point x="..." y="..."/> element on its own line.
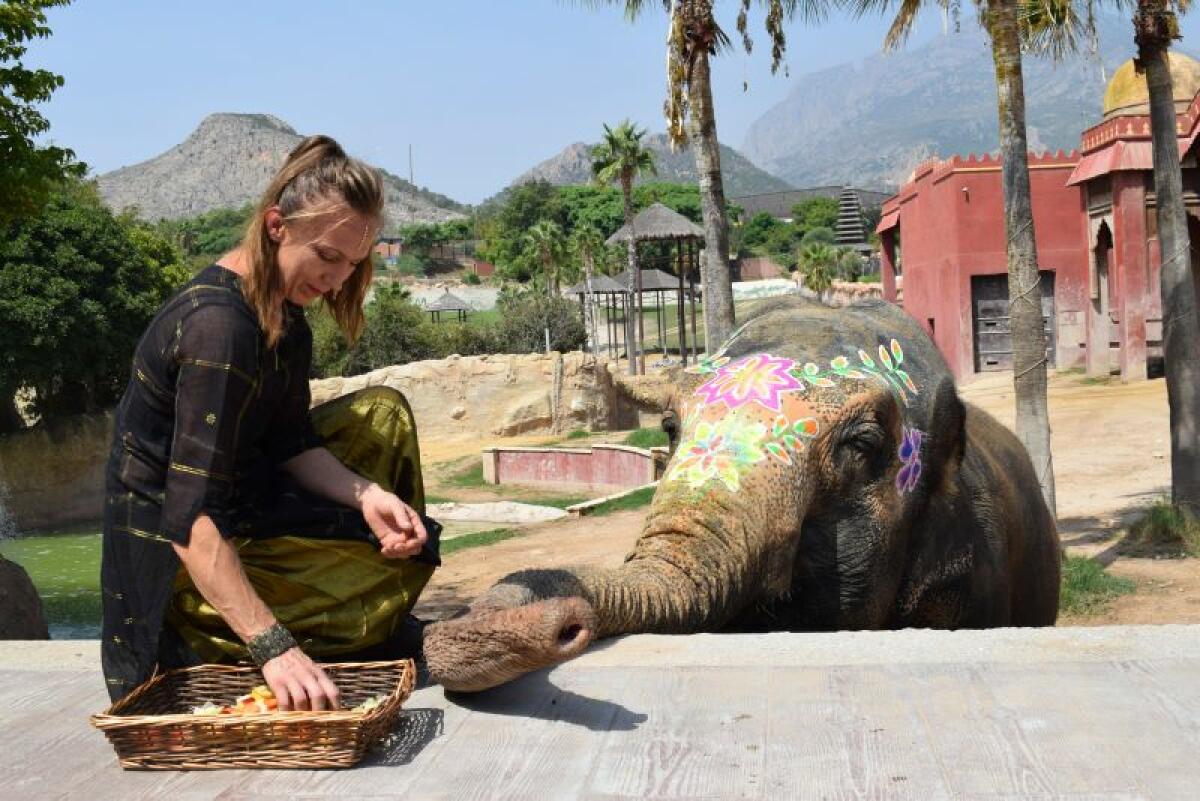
<point x="28" y="172"/>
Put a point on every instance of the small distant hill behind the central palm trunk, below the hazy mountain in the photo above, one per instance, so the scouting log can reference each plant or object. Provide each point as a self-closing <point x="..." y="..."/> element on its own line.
<point x="573" y="166"/>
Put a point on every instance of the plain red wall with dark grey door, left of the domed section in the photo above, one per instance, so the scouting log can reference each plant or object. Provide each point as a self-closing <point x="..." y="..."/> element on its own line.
<point x="952" y="228"/>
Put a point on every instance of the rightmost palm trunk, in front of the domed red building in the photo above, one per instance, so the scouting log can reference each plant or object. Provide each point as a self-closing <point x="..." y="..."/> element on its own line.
<point x="1181" y="332"/>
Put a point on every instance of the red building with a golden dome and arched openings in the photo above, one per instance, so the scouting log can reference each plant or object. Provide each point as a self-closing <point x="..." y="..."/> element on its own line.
<point x="1097" y="240"/>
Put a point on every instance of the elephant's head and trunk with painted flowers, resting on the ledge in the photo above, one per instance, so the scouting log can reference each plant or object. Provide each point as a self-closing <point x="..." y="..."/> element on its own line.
<point x="808" y="448"/>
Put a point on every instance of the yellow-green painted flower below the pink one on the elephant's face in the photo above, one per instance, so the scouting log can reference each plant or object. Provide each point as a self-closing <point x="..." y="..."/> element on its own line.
<point x="719" y="450"/>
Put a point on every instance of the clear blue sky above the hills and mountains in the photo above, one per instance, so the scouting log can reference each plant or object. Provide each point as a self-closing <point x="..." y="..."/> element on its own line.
<point x="481" y="89"/>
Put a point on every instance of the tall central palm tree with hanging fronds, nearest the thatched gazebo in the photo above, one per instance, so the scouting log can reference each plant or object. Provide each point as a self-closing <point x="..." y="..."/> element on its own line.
<point x="694" y="38"/>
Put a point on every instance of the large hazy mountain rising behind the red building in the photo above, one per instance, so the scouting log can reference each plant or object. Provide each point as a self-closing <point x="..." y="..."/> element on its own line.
<point x="869" y="124"/>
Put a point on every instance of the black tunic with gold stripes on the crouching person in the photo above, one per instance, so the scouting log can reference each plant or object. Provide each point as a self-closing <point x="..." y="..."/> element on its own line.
<point x="208" y="413"/>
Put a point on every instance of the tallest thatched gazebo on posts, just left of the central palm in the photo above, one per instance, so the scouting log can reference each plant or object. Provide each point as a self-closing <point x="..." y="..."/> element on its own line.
<point x="658" y="224"/>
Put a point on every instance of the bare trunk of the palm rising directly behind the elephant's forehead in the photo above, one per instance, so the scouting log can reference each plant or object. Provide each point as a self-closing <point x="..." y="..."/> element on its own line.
<point x="706" y="148"/>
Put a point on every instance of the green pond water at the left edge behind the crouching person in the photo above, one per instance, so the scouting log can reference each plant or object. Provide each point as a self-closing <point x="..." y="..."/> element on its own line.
<point x="65" y="569"/>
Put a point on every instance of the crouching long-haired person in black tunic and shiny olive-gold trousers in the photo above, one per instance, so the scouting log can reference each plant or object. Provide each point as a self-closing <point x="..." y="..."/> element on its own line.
<point x="231" y="527"/>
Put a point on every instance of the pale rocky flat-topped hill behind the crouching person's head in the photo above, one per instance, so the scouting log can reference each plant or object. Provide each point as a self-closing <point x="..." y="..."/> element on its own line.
<point x="229" y="161"/>
